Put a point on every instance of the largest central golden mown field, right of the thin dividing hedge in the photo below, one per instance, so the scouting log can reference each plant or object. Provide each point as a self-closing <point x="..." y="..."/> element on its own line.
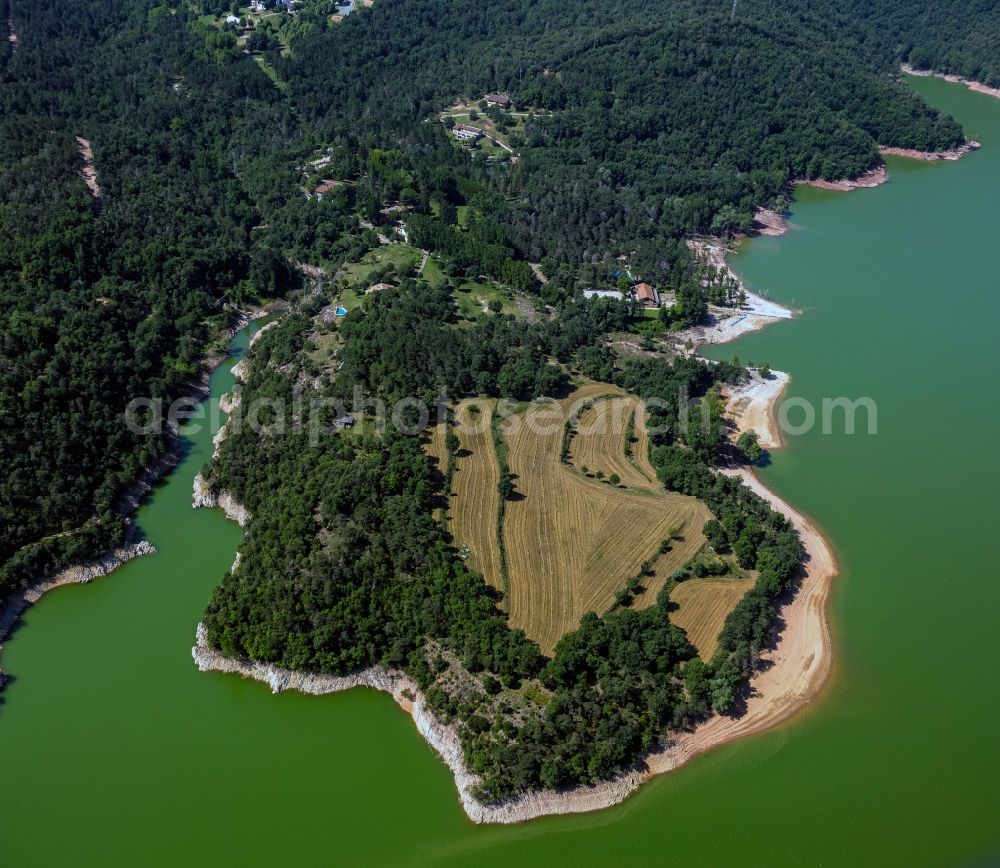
<point x="572" y="542"/>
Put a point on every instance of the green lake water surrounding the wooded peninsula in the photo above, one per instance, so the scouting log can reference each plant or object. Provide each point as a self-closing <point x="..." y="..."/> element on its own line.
<point x="115" y="750"/>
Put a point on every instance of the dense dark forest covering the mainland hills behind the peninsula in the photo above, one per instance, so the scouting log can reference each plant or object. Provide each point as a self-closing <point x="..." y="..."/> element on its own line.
<point x="648" y="122"/>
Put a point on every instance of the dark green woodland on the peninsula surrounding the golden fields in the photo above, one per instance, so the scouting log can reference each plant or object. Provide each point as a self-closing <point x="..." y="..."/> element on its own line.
<point x="343" y="565"/>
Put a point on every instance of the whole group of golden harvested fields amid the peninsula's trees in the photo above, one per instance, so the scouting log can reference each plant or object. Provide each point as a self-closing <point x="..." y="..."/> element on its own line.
<point x="572" y="541"/>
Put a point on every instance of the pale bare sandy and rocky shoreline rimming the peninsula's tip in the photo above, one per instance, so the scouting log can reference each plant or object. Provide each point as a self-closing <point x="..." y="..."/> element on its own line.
<point x="794" y="674"/>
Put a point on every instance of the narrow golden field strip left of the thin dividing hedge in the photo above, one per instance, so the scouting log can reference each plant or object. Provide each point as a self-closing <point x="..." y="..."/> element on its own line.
<point x="475" y="497"/>
